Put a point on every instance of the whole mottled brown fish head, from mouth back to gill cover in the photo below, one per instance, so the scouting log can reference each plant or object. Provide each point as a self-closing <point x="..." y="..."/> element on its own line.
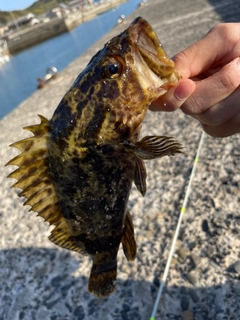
<point x="110" y="97"/>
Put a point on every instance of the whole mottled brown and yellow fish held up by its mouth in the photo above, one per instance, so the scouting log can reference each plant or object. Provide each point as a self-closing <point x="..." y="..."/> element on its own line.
<point x="77" y="169"/>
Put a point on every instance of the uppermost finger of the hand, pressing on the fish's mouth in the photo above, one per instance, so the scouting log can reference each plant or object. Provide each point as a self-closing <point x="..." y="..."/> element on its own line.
<point x="223" y="40"/>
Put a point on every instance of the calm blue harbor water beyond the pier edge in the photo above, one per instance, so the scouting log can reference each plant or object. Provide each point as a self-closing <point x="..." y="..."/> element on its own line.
<point x="18" y="76"/>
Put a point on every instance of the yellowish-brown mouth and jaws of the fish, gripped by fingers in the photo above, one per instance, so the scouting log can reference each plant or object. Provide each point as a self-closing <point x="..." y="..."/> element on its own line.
<point x="151" y="60"/>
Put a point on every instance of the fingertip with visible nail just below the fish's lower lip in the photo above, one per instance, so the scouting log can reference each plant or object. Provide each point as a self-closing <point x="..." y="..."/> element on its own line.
<point x="175" y="96"/>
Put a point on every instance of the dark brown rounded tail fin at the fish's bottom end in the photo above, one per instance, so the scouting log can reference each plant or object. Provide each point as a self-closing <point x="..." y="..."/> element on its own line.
<point x="103" y="275"/>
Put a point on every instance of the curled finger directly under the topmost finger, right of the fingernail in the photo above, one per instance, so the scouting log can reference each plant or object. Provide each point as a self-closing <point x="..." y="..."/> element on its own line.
<point x="212" y="90"/>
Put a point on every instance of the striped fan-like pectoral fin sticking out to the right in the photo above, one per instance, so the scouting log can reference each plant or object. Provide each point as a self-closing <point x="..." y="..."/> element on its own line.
<point x="151" y="147"/>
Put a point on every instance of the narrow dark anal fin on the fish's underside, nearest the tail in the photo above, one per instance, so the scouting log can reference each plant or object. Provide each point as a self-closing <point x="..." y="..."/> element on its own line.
<point x="128" y="239"/>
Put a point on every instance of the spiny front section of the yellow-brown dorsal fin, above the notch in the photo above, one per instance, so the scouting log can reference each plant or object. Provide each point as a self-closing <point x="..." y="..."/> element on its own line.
<point x="32" y="175"/>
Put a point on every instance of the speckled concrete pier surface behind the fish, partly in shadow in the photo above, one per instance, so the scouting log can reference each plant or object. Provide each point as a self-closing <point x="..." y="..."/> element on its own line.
<point x="41" y="281"/>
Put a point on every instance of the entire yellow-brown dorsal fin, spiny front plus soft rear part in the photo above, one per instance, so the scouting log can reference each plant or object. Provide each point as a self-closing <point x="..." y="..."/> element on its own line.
<point x="37" y="187"/>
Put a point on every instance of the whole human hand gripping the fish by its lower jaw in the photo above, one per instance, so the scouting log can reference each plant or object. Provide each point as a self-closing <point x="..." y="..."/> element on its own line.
<point x="209" y="90"/>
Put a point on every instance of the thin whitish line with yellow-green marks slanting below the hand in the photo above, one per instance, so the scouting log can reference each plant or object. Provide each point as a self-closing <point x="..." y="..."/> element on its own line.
<point x="182" y="211"/>
